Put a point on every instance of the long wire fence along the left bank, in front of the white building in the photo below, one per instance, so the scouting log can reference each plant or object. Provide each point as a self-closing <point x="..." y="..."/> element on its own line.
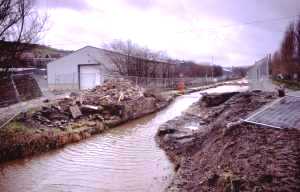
<point x="23" y="87"/>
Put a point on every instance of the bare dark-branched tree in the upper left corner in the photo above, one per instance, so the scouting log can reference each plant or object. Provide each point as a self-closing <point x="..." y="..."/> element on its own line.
<point x="19" y="26"/>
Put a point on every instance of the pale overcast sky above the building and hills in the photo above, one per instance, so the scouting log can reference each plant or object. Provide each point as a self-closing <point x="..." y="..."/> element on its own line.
<point x="185" y="29"/>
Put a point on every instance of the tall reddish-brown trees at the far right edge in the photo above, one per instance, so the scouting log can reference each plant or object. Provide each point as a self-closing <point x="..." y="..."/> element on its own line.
<point x="285" y="62"/>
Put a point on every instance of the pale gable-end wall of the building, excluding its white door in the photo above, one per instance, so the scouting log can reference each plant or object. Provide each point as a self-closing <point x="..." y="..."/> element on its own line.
<point x="63" y="73"/>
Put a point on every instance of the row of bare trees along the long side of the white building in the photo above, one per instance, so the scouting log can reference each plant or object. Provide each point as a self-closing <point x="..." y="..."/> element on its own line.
<point x="135" y="60"/>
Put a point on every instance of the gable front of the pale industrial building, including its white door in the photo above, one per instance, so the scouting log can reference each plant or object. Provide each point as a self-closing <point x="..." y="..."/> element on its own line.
<point x="82" y="69"/>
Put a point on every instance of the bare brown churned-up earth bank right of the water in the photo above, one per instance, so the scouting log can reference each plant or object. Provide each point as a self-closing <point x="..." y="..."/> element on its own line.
<point x="227" y="155"/>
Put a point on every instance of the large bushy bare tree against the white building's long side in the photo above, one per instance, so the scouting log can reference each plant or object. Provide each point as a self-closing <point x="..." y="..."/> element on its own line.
<point x="134" y="60"/>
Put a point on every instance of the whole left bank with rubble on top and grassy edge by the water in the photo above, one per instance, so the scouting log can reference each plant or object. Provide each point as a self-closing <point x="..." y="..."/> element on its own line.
<point x="77" y="117"/>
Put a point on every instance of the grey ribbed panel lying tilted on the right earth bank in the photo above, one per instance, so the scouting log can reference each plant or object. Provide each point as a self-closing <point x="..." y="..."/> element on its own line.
<point x="282" y="113"/>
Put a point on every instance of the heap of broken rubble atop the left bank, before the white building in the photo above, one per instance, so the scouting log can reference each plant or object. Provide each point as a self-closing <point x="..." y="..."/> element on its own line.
<point x="112" y="103"/>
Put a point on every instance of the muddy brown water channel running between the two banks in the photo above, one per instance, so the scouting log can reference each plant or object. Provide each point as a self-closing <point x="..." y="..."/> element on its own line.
<point x="123" y="159"/>
